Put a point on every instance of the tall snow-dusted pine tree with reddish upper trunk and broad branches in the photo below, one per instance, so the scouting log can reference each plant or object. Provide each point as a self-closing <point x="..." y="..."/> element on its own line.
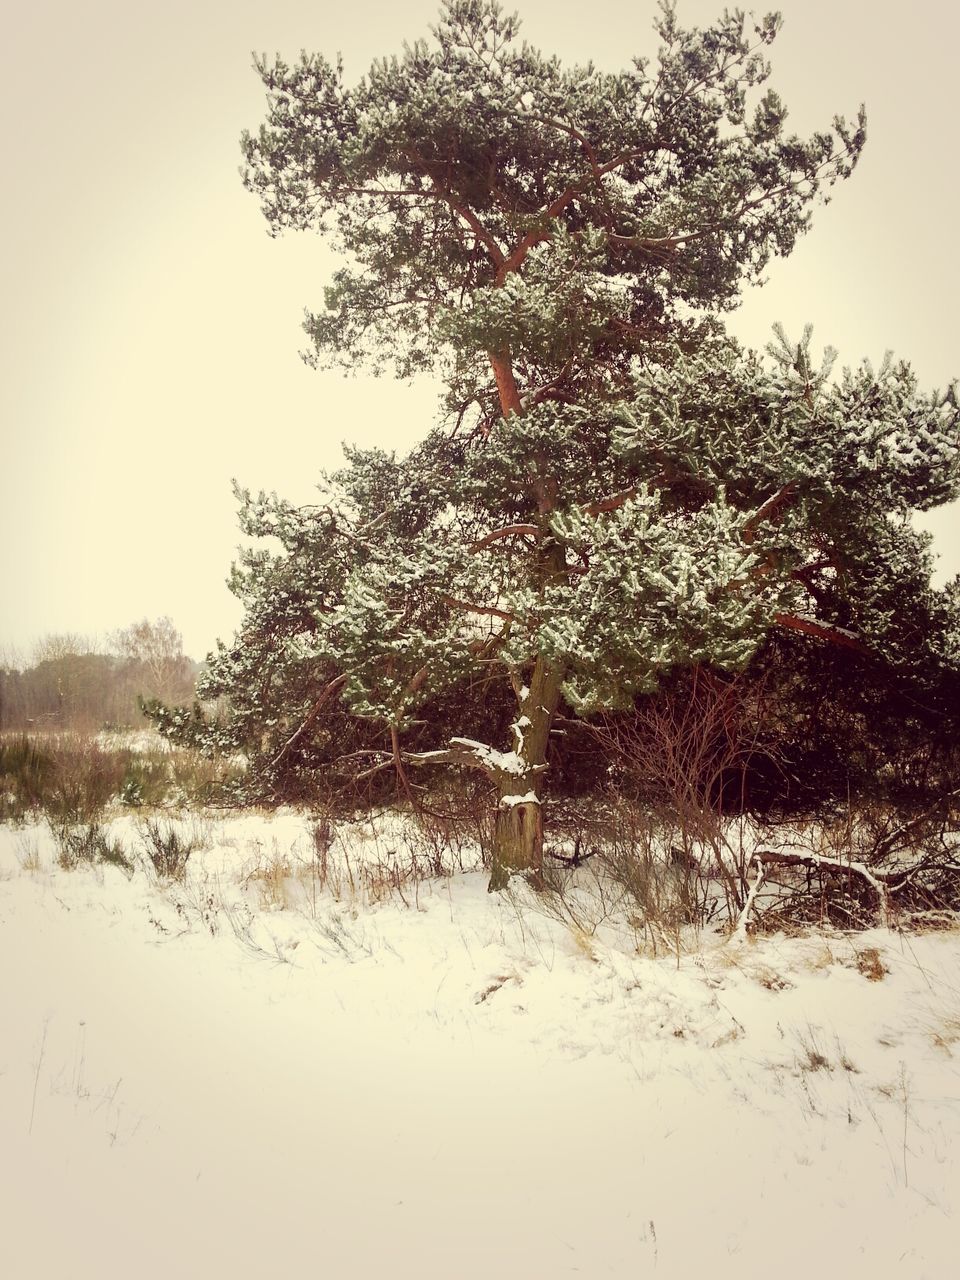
<point x="620" y="490"/>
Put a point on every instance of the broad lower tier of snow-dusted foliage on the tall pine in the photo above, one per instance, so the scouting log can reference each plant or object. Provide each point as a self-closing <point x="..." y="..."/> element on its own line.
<point x="414" y="575"/>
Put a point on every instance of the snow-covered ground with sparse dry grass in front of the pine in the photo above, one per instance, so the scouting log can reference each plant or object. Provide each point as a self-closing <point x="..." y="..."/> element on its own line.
<point x="246" y="1076"/>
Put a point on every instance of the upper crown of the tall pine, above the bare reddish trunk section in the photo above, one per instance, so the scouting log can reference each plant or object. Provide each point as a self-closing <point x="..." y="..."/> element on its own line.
<point x="493" y="199"/>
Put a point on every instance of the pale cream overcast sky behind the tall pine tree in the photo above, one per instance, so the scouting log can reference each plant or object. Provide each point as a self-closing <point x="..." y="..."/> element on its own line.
<point x="152" y="328"/>
